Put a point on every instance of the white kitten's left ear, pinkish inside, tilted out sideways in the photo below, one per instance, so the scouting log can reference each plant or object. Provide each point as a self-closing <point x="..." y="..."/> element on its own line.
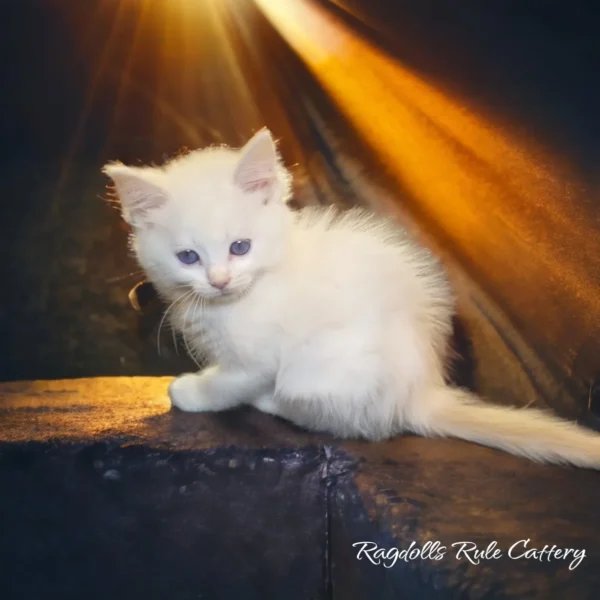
<point x="140" y="196"/>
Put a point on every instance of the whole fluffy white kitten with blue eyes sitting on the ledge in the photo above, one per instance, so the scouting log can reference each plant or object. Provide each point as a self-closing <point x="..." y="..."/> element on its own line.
<point x="334" y="321"/>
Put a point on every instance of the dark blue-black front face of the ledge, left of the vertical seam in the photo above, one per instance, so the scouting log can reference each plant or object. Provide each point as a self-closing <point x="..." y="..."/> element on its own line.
<point x="110" y="522"/>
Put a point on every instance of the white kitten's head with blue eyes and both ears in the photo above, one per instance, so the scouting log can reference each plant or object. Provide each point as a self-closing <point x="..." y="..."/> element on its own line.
<point x="212" y="221"/>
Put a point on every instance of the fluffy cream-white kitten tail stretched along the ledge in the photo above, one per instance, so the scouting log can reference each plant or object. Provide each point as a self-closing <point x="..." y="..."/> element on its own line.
<point x="534" y="434"/>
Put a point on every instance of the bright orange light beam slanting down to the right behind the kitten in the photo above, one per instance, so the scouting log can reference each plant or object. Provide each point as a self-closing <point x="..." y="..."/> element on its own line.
<point x="491" y="193"/>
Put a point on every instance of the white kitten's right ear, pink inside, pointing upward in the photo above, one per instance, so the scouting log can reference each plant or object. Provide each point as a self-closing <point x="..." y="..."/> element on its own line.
<point x="257" y="168"/>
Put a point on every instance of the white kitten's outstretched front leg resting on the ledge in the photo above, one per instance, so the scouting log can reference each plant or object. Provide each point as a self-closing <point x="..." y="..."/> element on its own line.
<point x="213" y="389"/>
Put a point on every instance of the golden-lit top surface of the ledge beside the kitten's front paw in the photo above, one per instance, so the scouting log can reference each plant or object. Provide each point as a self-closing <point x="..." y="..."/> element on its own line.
<point x="136" y="409"/>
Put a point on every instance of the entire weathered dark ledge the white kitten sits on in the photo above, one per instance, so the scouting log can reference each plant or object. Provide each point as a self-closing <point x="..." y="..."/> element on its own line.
<point x="92" y="473"/>
